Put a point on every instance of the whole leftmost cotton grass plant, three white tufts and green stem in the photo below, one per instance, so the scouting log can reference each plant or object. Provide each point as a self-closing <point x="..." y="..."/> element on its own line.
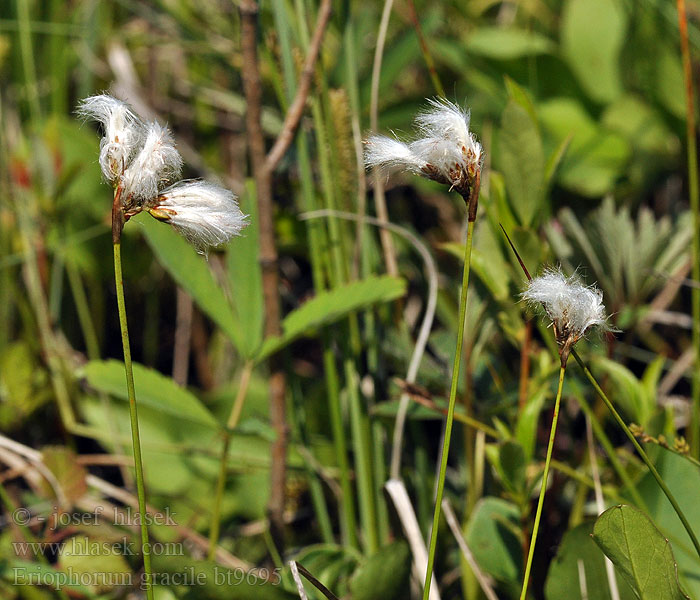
<point x="139" y="160"/>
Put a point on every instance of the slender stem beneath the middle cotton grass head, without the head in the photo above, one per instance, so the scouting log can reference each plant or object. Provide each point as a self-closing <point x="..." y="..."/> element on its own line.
<point x="471" y="219"/>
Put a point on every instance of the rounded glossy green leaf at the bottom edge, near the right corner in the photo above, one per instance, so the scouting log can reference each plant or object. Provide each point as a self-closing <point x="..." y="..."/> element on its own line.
<point x="641" y="554"/>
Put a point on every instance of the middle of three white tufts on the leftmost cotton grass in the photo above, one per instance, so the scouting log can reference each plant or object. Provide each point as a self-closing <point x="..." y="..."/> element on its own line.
<point x="157" y="163"/>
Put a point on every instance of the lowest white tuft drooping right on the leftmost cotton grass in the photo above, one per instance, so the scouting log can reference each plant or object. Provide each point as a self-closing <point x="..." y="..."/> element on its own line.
<point x="205" y="214"/>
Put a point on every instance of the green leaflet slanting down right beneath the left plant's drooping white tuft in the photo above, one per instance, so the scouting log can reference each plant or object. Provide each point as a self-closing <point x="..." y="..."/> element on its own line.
<point x="191" y="272"/>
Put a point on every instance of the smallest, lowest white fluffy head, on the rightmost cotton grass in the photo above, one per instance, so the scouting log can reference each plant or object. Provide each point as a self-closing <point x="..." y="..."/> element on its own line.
<point x="573" y="307"/>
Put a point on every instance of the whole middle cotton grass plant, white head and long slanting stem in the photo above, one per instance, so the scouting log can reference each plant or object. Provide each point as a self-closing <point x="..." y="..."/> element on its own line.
<point x="446" y="151"/>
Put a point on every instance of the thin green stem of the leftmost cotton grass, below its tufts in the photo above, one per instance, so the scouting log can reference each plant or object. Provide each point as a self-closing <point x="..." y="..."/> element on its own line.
<point x="135" y="437"/>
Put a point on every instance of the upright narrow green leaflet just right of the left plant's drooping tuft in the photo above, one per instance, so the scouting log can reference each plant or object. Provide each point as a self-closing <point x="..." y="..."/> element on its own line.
<point x="245" y="276"/>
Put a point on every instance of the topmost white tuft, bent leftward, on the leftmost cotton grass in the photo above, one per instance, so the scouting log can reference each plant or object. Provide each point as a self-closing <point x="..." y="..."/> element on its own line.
<point x="123" y="132"/>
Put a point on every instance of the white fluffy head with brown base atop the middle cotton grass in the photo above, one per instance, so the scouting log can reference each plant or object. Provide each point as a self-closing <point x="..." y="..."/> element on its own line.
<point x="444" y="149"/>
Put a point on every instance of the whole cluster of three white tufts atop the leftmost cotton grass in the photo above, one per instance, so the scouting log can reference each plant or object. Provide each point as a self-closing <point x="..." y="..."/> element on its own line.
<point x="141" y="162"/>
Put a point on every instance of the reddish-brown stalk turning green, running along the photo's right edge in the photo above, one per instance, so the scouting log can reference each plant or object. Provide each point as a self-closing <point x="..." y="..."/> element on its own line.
<point x="695" y="211"/>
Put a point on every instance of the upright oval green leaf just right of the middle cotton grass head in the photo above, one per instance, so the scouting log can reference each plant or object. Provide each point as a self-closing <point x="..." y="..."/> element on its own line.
<point x="521" y="161"/>
